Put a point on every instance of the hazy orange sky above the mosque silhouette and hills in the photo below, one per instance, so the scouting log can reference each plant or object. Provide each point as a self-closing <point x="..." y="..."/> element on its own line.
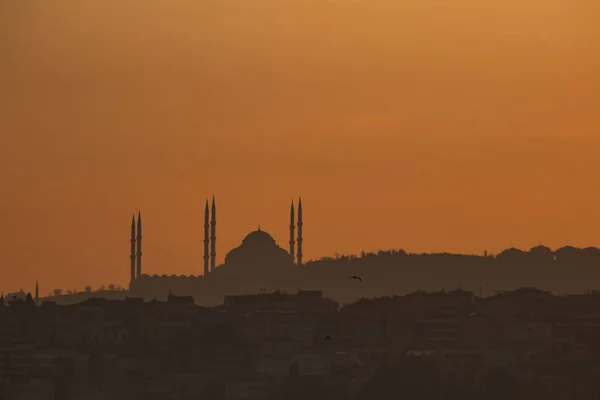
<point x="426" y="125"/>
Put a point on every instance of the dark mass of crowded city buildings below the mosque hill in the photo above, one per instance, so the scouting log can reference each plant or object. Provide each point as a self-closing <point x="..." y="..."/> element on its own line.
<point x="523" y="344"/>
